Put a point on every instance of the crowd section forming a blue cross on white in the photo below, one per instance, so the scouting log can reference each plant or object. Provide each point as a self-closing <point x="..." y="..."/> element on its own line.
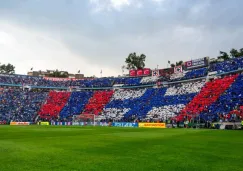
<point x="151" y="103"/>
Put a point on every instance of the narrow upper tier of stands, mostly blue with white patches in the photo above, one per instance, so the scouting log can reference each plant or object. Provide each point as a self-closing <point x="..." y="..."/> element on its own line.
<point x="20" y="80"/>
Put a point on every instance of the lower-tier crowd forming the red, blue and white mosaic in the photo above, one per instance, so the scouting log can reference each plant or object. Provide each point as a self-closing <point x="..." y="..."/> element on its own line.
<point x="209" y="100"/>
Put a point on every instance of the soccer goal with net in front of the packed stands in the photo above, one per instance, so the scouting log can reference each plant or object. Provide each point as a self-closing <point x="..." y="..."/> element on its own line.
<point x="90" y="119"/>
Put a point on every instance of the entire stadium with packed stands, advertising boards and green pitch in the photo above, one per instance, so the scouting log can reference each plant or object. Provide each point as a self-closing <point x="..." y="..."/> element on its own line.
<point x="55" y="120"/>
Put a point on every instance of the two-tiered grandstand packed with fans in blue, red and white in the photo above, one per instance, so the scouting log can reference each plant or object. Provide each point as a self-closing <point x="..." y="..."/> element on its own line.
<point x="209" y="92"/>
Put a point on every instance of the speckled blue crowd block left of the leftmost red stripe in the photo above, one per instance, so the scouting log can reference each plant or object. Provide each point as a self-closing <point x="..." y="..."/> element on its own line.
<point x="20" y="105"/>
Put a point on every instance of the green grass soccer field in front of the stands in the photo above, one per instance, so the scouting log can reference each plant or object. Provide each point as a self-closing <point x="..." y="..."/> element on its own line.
<point x="109" y="148"/>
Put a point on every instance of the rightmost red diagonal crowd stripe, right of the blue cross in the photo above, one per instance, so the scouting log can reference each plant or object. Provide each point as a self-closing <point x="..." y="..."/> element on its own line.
<point x="207" y="96"/>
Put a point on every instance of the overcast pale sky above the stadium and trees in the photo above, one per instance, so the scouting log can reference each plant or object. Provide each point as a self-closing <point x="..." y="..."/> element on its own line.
<point x="90" y="35"/>
